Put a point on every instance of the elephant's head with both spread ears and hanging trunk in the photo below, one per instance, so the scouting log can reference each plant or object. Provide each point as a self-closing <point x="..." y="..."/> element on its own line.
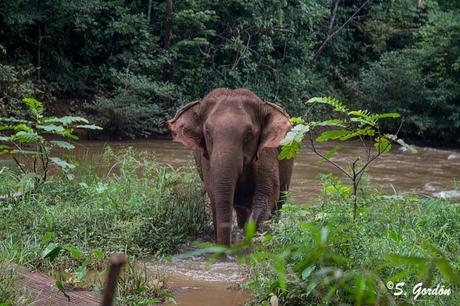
<point x="229" y="128"/>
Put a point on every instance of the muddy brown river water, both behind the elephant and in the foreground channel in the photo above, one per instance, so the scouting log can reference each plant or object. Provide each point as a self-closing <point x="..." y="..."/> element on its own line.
<point x="431" y="172"/>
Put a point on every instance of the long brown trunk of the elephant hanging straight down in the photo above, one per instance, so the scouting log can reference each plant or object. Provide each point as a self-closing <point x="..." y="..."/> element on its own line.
<point x="226" y="167"/>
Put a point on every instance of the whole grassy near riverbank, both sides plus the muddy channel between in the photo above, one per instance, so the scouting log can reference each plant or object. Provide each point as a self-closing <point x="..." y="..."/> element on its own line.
<point x="132" y="204"/>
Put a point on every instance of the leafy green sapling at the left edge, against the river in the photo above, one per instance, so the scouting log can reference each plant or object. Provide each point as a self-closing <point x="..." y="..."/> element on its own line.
<point x="29" y="139"/>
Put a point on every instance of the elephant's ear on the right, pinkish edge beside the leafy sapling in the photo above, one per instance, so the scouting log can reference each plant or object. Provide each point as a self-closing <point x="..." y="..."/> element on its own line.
<point x="276" y="126"/>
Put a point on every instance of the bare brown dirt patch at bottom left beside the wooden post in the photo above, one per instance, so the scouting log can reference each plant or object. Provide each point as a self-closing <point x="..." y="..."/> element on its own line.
<point x="44" y="292"/>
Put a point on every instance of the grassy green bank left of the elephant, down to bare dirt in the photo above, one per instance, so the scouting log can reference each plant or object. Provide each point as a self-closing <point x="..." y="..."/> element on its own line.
<point x="129" y="204"/>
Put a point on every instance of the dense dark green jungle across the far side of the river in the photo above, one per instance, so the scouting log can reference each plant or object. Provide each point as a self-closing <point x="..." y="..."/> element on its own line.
<point x="131" y="64"/>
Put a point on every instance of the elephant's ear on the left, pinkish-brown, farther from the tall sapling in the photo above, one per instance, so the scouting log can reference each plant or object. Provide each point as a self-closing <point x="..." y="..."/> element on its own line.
<point x="186" y="126"/>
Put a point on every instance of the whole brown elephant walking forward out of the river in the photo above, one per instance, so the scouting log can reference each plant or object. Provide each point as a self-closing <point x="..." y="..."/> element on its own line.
<point x="236" y="138"/>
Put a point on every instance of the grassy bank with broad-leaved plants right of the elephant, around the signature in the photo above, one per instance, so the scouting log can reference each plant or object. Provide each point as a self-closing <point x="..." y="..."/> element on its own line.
<point x="320" y="255"/>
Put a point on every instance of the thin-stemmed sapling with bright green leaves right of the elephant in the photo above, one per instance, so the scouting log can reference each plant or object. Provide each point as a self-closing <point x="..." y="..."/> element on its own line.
<point x="359" y="125"/>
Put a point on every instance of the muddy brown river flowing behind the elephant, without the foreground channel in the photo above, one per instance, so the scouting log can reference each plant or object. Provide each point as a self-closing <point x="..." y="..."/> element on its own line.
<point x="430" y="171"/>
